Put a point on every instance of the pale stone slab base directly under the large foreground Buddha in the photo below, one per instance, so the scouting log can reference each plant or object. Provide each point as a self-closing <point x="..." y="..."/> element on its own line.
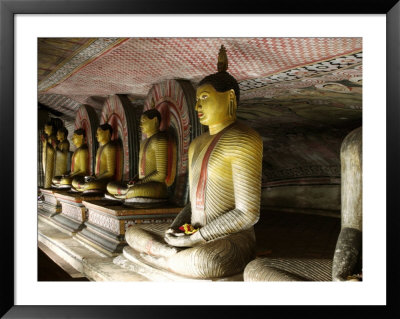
<point x="133" y="261"/>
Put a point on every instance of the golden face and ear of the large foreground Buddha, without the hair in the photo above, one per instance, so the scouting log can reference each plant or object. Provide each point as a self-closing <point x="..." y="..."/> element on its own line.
<point x="213" y="107"/>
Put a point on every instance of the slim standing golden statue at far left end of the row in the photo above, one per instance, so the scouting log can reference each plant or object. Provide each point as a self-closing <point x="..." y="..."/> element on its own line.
<point x="49" y="144"/>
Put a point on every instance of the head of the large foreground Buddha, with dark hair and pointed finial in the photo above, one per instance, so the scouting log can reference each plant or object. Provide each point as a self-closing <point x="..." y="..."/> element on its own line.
<point x="217" y="95"/>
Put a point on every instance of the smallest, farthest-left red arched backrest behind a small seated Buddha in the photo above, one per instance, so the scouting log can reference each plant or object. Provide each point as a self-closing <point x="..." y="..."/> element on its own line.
<point x="87" y="119"/>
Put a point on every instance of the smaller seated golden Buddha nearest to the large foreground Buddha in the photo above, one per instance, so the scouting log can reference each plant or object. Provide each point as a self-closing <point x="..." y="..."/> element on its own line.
<point x="153" y="162"/>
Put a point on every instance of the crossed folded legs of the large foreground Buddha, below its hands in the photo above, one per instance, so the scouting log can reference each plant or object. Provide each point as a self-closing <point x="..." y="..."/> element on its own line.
<point x="218" y="258"/>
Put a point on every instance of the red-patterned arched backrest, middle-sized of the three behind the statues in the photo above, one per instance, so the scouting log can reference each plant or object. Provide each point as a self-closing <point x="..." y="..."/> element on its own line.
<point x="121" y="115"/>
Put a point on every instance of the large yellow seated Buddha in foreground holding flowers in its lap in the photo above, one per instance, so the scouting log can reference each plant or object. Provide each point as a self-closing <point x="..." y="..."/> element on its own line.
<point x="213" y="235"/>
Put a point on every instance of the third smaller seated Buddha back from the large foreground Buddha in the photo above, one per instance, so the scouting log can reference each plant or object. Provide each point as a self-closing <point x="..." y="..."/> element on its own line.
<point x="79" y="161"/>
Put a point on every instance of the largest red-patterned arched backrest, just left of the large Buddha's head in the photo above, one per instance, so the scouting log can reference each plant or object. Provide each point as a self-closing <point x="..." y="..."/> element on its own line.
<point x="175" y="100"/>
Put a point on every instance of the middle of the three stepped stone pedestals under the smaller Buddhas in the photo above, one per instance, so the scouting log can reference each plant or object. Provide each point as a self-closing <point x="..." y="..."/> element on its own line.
<point x="73" y="213"/>
